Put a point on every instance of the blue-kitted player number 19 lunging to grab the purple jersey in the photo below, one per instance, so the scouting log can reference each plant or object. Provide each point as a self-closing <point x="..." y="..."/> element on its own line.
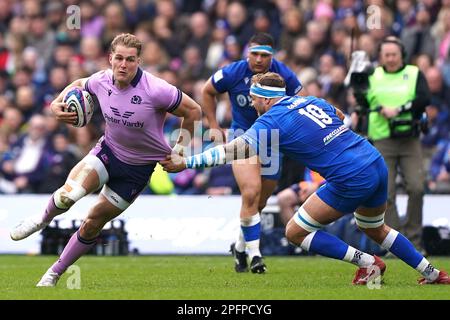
<point x="311" y="131"/>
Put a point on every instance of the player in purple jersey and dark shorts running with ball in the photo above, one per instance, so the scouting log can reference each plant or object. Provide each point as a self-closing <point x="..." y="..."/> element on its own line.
<point x="134" y="104"/>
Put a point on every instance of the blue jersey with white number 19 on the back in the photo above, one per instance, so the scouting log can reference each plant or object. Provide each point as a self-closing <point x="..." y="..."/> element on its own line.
<point x="310" y="132"/>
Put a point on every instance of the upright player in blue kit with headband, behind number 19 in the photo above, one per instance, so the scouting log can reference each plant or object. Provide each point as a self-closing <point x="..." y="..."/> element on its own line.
<point x="235" y="79"/>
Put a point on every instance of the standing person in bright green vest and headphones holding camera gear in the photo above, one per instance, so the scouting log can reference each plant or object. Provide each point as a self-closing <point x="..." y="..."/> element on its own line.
<point x="393" y="104"/>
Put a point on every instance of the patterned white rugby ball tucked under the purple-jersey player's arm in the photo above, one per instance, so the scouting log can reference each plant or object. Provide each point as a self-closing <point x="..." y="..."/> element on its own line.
<point x="81" y="102"/>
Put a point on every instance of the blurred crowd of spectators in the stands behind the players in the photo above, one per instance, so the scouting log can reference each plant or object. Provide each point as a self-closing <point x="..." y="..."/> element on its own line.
<point x="184" y="43"/>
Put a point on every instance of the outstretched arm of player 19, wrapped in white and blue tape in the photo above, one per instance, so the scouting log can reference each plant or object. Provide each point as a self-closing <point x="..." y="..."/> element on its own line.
<point x="235" y="150"/>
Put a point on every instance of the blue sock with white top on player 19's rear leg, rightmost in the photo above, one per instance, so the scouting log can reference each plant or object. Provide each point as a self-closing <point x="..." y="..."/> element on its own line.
<point x="403" y="249"/>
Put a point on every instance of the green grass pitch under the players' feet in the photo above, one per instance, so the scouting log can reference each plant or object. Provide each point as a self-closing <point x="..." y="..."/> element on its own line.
<point x="211" y="278"/>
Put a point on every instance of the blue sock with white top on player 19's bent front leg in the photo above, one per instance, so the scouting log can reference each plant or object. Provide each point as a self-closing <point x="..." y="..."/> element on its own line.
<point x="325" y="244"/>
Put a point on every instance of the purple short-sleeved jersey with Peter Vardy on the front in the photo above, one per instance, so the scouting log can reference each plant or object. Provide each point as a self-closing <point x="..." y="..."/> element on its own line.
<point x="135" y="115"/>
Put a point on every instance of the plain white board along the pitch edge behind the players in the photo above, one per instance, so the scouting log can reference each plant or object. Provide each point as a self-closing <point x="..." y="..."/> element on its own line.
<point x="167" y="224"/>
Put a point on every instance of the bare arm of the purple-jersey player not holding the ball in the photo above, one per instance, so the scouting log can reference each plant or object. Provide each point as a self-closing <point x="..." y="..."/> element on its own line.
<point x="190" y="111"/>
